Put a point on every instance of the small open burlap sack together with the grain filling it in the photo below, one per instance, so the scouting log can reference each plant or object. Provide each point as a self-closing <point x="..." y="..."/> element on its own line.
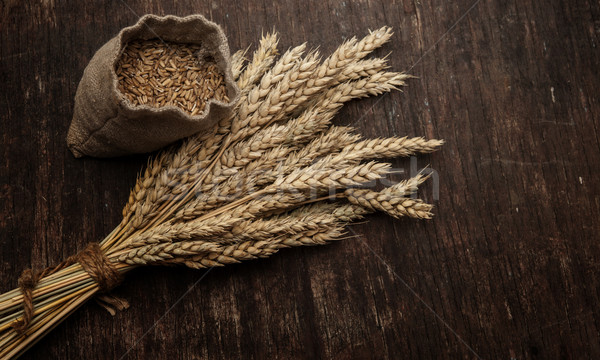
<point x="156" y="82"/>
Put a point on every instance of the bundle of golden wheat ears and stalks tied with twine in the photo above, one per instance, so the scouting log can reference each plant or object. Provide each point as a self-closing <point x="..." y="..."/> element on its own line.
<point x="277" y="174"/>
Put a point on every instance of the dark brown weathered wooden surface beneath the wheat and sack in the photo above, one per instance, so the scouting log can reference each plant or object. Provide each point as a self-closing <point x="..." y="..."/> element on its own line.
<point x="509" y="267"/>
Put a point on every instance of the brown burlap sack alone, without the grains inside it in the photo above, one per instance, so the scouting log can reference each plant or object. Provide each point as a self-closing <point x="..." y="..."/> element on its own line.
<point x="106" y="124"/>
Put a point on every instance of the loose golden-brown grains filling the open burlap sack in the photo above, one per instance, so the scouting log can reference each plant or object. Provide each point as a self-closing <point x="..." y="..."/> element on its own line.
<point x="159" y="73"/>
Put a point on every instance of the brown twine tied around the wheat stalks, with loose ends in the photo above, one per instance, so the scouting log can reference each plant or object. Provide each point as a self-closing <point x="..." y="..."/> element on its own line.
<point x="91" y="259"/>
